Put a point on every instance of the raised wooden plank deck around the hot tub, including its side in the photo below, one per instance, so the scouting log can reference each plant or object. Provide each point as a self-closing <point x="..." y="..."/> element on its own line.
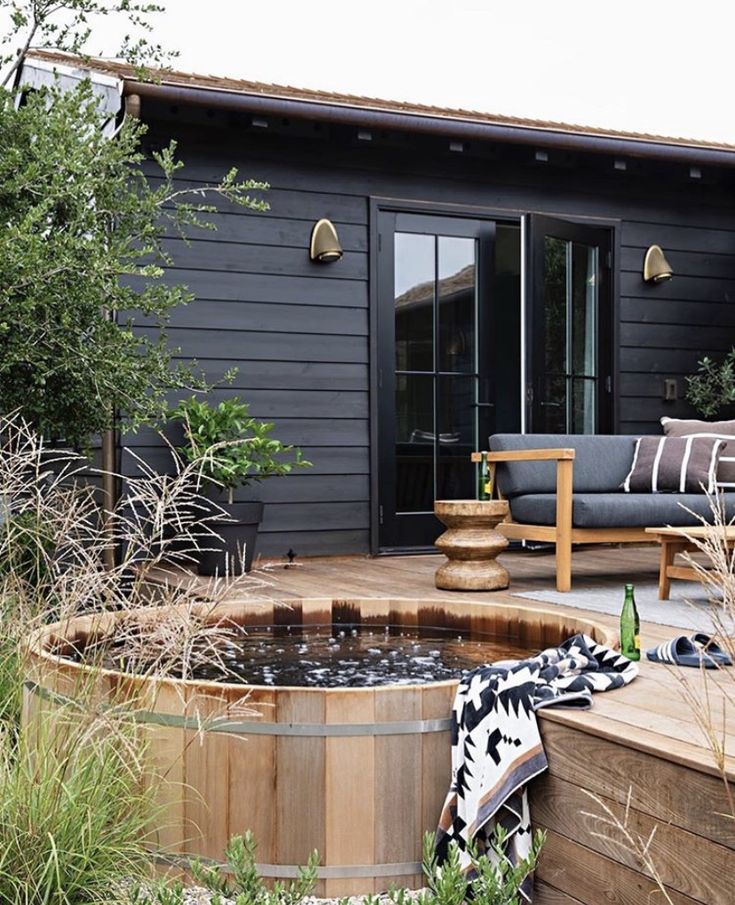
<point x="643" y="740"/>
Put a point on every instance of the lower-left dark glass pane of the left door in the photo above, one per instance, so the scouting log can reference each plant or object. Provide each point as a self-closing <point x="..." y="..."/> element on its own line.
<point x="414" y="443"/>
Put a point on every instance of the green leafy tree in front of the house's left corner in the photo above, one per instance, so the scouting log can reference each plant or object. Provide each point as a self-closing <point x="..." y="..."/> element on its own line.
<point x="81" y="237"/>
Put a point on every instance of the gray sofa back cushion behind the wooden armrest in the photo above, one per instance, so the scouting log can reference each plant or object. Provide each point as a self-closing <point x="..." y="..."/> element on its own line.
<point x="601" y="464"/>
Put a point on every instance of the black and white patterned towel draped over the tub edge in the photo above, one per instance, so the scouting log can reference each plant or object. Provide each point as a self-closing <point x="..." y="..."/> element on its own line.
<point x="496" y="745"/>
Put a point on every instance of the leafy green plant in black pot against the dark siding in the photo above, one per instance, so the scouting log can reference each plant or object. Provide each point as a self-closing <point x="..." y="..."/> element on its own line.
<point x="233" y="450"/>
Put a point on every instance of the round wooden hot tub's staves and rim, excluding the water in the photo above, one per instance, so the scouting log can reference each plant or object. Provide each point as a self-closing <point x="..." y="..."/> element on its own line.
<point x="358" y="773"/>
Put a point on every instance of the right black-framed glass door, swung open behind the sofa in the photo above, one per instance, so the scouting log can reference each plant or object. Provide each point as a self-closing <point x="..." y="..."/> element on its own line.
<point x="570" y="326"/>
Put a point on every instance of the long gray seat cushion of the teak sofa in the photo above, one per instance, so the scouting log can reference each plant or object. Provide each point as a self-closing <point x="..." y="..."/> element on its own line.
<point x="618" y="510"/>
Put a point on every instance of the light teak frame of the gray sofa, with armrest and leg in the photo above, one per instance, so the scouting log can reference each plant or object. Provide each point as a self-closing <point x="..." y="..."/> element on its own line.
<point x="562" y="534"/>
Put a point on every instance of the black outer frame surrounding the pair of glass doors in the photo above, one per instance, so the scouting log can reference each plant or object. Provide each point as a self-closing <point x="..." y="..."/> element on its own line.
<point x="377" y="204"/>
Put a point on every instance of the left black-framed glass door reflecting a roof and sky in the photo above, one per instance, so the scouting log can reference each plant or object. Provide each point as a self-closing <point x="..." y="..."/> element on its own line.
<point x="437" y="395"/>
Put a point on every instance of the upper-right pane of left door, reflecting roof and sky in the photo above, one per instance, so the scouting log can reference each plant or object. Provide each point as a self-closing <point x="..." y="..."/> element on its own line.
<point x="457" y="300"/>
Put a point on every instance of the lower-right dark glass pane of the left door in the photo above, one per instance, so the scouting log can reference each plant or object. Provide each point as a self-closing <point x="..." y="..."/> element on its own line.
<point x="457" y="438"/>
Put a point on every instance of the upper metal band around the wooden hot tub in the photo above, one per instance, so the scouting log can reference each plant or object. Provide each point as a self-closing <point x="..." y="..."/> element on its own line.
<point x="239" y="727"/>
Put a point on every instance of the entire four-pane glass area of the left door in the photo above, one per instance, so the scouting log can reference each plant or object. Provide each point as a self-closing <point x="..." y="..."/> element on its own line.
<point x="436" y="369"/>
